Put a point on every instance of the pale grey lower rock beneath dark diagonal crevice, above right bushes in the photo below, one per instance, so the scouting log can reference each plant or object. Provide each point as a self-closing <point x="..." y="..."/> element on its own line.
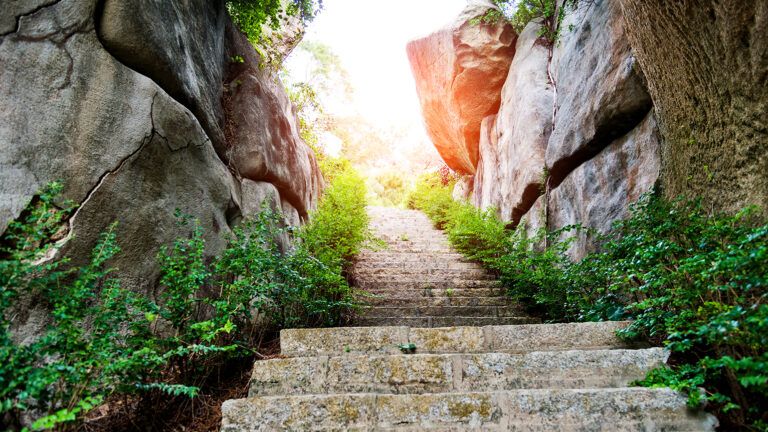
<point x="599" y="192"/>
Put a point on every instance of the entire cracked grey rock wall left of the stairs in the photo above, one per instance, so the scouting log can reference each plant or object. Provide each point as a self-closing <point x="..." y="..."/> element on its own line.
<point x="141" y="108"/>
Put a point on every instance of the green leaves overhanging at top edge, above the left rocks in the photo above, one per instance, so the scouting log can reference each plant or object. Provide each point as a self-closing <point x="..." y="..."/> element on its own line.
<point x="250" y="16"/>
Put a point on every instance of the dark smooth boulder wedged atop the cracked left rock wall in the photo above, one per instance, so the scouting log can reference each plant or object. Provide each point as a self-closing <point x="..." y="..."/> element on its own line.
<point x="188" y="61"/>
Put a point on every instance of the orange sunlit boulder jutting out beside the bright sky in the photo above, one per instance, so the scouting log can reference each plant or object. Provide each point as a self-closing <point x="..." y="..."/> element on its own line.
<point x="459" y="73"/>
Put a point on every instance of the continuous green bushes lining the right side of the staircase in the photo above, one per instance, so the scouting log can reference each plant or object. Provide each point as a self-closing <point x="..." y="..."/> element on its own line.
<point x="692" y="281"/>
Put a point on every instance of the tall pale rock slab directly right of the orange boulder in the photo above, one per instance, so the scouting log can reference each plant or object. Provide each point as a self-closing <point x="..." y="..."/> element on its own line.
<point x="522" y="129"/>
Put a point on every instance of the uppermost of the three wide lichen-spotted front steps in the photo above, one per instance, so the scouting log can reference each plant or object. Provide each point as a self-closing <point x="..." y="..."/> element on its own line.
<point x="511" y="339"/>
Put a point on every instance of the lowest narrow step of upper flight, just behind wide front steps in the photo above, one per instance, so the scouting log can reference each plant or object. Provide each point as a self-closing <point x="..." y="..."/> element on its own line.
<point x="441" y="321"/>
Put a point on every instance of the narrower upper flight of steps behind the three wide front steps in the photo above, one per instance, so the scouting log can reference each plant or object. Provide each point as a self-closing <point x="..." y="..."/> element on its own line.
<point x="419" y="280"/>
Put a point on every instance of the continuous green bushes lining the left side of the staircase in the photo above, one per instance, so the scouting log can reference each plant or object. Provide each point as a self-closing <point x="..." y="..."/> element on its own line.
<point x="103" y="340"/>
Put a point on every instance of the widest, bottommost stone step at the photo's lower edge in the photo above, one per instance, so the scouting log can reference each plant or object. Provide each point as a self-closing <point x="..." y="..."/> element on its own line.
<point x="620" y="410"/>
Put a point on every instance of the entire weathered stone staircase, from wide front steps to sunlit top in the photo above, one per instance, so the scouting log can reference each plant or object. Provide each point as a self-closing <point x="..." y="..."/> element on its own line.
<point x="476" y="373"/>
